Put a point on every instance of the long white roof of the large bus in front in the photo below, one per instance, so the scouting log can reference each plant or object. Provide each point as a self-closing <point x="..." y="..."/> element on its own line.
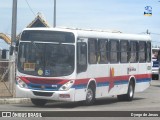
<point x="97" y="33"/>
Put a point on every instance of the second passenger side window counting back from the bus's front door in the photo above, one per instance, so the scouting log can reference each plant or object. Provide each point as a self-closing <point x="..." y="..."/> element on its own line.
<point x="103" y="54"/>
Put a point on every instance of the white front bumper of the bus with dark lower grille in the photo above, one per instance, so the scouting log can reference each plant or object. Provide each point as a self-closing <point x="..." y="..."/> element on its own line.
<point x="48" y="95"/>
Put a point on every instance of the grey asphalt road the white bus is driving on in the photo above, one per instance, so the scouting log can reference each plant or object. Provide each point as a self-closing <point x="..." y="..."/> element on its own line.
<point x="149" y="100"/>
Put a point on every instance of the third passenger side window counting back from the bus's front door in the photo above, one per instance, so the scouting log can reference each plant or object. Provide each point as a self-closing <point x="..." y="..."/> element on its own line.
<point x="114" y="57"/>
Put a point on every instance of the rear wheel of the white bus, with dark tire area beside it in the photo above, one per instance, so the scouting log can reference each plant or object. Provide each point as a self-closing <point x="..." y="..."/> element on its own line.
<point x="130" y="93"/>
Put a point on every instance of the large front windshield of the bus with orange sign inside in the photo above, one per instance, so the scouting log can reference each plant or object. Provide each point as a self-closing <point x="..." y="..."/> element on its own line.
<point x="46" y="59"/>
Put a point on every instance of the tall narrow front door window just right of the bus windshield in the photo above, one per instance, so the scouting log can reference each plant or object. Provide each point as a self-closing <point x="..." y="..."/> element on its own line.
<point x="81" y="57"/>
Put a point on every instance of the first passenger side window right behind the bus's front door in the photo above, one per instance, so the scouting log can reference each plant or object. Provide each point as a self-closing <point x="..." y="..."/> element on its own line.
<point x="92" y="51"/>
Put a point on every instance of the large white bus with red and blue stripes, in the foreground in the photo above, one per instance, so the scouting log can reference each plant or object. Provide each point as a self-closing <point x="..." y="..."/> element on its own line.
<point x="81" y="65"/>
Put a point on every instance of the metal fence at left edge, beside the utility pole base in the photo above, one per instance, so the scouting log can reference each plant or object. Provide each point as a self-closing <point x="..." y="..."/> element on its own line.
<point x="7" y="78"/>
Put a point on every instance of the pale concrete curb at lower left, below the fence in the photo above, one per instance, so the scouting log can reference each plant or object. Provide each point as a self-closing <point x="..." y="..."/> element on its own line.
<point x="14" y="100"/>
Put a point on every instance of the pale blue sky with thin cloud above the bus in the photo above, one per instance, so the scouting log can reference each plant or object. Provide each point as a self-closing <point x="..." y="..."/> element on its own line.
<point x="126" y="16"/>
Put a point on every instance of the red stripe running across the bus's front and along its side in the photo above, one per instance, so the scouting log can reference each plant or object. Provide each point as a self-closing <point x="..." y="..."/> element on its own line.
<point x="82" y="81"/>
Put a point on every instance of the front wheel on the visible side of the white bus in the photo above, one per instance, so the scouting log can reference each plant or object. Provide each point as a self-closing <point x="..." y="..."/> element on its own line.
<point x="90" y="95"/>
